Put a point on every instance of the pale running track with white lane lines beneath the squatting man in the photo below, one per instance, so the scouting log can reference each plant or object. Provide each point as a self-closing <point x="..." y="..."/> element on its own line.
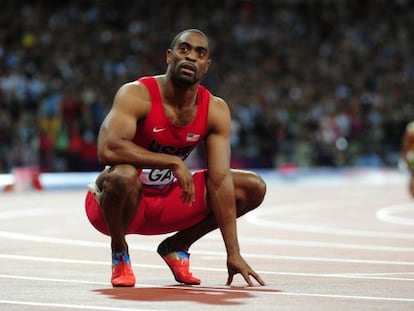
<point x="339" y="240"/>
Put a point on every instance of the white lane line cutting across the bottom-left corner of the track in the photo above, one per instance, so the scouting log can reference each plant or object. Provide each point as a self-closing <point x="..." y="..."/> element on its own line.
<point x="68" y="306"/>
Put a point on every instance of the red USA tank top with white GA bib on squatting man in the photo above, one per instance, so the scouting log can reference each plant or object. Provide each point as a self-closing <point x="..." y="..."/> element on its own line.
<point x="158" y="134"/>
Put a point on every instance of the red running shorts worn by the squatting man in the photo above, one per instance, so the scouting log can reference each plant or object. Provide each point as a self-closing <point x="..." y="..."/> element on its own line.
<point x="159" y="213"/>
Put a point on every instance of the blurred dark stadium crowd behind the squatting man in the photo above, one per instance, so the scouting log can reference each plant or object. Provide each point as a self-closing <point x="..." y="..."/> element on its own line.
<point x="309" y="83"/>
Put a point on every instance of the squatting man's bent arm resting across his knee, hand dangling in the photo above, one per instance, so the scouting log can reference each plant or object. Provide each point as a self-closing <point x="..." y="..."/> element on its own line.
<point x="131" y="104"/>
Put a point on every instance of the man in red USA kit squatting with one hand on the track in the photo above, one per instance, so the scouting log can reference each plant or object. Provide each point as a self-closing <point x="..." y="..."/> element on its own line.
<point x="147" y="188"/>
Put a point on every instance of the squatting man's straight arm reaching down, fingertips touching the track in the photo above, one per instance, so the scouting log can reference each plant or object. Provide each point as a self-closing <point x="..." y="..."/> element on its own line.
<point x="220" y="189"/>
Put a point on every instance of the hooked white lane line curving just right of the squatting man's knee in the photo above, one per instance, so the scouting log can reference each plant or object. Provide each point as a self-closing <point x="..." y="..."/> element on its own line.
<point x="264" y="217"/>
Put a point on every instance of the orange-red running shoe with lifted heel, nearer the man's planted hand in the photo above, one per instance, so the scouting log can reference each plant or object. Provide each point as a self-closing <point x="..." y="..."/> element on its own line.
<point x="179" y="264"/>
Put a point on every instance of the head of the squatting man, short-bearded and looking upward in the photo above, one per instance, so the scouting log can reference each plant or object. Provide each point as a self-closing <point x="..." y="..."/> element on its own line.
<point x="189" y="59"/>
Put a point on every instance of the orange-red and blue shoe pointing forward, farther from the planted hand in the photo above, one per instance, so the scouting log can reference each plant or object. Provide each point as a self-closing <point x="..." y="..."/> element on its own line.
<point x="122" y="274"/>
